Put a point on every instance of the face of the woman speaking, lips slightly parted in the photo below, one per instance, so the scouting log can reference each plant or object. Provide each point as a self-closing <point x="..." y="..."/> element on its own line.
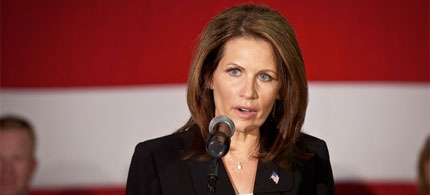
<point x="245" y="83"/>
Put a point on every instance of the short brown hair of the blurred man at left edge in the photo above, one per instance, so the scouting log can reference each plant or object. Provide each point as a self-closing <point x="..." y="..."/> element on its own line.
<point x="14" y="122"/>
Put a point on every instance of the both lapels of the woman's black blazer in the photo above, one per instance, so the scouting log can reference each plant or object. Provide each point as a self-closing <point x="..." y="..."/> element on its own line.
<point x="264" y="182"/>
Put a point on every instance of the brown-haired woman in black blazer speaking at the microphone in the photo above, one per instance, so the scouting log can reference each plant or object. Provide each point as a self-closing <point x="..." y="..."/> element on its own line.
<point x="248" y="67"/>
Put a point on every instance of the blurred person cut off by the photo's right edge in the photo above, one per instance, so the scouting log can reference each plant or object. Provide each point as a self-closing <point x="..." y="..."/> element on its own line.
<point x="424" y="168"/>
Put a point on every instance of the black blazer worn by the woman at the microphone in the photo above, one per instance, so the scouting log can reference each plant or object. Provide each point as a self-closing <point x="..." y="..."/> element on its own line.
<point x="157" y="168"/>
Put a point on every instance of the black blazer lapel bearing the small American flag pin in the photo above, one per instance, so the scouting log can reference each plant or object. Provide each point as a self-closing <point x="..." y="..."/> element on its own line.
<point x="270" y="178"/>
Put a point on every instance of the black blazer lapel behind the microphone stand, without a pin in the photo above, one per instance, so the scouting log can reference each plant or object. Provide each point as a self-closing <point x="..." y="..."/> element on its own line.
<point x="199" y="171"/>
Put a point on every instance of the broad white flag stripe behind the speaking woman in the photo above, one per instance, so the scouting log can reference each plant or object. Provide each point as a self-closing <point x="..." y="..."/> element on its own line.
<point x="87" y="136"/>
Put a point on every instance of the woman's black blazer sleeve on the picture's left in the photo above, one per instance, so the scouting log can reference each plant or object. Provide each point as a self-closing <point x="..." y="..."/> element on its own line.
<point x="142" y="176"/>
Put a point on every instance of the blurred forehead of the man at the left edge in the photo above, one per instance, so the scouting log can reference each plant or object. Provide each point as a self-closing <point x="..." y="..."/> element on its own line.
<point x="15" y="140"/>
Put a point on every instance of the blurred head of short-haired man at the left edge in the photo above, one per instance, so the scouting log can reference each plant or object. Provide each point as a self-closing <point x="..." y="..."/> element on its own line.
<point x="17" y="159"/>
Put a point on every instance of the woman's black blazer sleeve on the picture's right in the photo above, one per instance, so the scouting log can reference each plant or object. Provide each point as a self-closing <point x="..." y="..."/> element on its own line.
<point x="324" y="174"/>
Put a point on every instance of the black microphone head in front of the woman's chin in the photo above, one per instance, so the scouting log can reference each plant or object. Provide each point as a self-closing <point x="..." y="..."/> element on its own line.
<point x="221" y="128"/>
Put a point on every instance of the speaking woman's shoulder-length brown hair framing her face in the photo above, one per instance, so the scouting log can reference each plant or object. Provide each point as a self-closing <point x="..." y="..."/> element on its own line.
<point x="282" y="128"/>
